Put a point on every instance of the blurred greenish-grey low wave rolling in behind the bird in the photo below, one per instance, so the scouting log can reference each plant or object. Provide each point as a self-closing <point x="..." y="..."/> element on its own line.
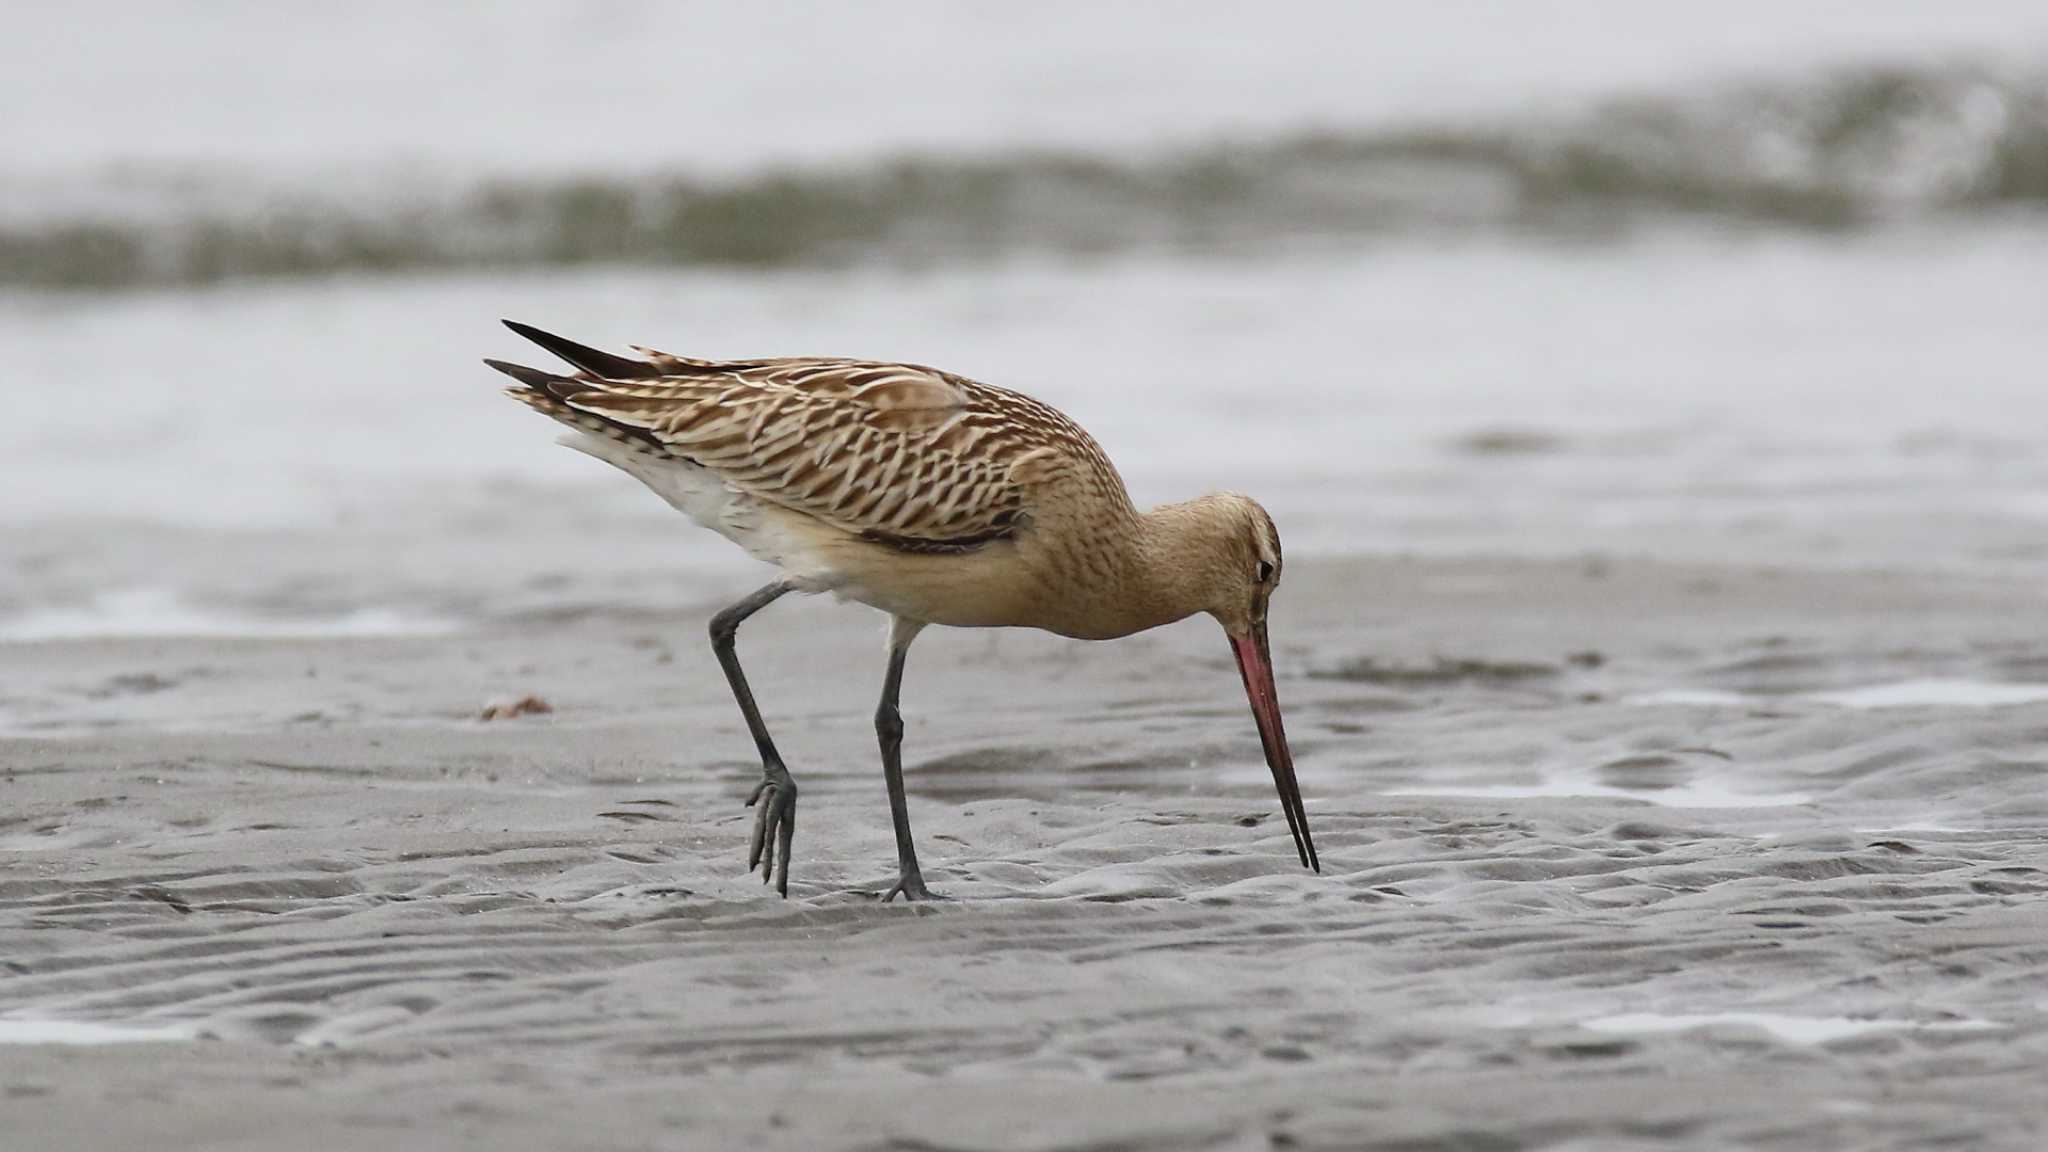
<point x="1850" y="151"/>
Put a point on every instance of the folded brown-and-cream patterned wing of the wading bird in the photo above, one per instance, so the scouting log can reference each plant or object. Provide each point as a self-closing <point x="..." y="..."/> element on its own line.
<point x="900" y="454"/>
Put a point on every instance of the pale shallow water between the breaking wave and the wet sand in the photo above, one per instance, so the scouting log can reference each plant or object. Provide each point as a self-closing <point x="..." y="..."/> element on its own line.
<point x="1869" y="409"/>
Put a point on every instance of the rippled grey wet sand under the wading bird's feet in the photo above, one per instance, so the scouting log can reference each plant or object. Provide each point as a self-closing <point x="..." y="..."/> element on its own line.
<point x="1615" y="856"/>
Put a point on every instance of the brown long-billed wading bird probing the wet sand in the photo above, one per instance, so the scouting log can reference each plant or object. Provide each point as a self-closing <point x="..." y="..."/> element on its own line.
<point x="931" y="497"/>
